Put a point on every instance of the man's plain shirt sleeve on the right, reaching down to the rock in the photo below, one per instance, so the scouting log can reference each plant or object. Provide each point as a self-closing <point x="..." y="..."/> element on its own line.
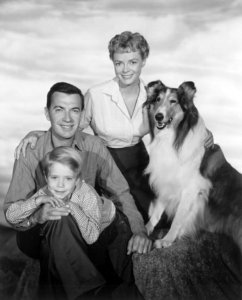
<point x="115" y="187"/>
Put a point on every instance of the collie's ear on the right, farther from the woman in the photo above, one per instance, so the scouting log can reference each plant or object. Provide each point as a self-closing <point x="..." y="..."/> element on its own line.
<point x="186" y="92"/>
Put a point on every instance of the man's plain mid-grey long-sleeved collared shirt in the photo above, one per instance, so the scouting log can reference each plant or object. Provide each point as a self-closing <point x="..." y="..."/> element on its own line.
<point x="99" y="170"/>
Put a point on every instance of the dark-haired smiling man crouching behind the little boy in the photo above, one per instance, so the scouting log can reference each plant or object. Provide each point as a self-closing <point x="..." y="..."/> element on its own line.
<point x="50" y="233"/>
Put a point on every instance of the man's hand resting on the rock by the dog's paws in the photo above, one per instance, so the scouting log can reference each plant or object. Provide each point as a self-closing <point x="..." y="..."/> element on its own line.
<point x="139" y="243"/>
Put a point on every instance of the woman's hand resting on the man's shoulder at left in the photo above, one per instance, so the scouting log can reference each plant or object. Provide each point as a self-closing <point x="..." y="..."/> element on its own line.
<point x="31" y="138"/>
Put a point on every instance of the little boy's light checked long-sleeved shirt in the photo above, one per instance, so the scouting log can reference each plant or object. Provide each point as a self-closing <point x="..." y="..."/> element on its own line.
<point x="91" y="212"/>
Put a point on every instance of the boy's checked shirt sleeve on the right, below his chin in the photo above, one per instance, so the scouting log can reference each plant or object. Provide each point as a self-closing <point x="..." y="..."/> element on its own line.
<point x="85" y="208"/>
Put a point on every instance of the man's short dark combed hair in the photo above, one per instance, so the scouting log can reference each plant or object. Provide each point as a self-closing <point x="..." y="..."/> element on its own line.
<point x="65" y="88"/>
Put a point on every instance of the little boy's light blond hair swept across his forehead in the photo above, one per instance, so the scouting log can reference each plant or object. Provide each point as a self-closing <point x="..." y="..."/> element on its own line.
<point x="64" y="155"/>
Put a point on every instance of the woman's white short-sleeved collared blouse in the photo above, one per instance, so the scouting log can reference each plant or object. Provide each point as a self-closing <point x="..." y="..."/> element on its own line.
<point x="106" y="113"/>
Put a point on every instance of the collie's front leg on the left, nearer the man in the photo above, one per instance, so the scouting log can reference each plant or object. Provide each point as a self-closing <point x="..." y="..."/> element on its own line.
<point x="156" y="210"/>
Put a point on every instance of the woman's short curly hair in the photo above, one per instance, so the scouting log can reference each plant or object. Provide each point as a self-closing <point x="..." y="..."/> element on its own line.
<point x="127" y="42"/>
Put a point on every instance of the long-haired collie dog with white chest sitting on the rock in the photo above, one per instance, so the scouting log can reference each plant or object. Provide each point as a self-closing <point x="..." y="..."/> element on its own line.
<point x="196" y="187"/>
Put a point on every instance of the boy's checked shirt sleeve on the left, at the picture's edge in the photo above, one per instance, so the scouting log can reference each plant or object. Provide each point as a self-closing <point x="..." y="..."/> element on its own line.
<point x="19" y="211"/>
